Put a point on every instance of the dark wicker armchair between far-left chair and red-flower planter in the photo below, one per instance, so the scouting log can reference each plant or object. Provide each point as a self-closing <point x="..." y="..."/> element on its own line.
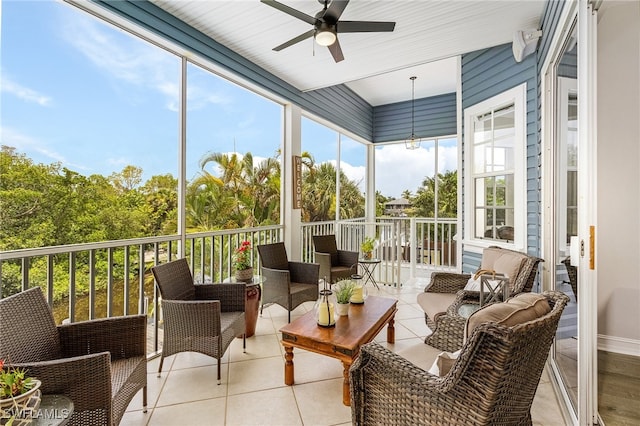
<point x="202" y="318"/>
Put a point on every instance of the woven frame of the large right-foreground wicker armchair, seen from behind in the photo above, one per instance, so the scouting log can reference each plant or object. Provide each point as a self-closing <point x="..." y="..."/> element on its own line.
<point x="492" y="382"/>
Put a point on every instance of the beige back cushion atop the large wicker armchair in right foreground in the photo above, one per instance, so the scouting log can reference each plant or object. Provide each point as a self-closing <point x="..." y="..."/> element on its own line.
<point x="519" y="309"/>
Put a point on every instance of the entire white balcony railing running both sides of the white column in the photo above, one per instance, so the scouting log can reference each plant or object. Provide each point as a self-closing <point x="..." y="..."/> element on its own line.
<point x="97" y="280"/>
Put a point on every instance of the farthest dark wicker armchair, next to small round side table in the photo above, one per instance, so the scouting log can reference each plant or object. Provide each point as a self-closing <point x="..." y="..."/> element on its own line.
<point x="334" y="264"/>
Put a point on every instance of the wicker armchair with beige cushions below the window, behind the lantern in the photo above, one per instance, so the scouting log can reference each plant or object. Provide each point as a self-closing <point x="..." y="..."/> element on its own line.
<point x="445" y="295"/>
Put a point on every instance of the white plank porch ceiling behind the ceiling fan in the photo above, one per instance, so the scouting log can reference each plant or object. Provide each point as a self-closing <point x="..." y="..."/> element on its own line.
<point x="428" y="37"/>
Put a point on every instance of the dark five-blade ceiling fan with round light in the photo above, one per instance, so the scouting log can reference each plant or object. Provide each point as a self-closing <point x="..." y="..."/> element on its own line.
<point x="327" y="25"/>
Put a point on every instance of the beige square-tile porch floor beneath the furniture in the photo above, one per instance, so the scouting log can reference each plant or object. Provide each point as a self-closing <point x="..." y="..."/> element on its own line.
<point x="253" y="390"/>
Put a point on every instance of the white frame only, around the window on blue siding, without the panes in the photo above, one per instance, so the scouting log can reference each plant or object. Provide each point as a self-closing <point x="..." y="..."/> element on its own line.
<point x="517" y="96"/>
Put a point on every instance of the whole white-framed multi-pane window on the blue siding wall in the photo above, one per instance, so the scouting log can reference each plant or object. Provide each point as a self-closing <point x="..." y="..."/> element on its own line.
<point x="495" y="180"/>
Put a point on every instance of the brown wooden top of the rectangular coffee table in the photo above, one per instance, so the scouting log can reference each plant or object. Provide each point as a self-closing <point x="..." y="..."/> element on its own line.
<point x="362" y="324"/>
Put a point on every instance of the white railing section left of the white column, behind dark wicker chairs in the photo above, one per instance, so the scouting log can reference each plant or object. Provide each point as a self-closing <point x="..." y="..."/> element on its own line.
<point x="99" y="280"/>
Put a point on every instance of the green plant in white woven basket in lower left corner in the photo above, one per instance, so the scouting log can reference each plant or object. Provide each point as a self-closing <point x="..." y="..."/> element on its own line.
<point x="17" y="392"/>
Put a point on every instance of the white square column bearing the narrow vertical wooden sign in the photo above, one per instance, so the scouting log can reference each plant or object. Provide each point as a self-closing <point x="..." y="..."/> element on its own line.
<point x="292" y="145"/>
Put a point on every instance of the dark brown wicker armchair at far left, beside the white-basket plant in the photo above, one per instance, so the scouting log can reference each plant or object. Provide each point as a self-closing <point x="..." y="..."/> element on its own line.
<point x="99" y="364"/>
